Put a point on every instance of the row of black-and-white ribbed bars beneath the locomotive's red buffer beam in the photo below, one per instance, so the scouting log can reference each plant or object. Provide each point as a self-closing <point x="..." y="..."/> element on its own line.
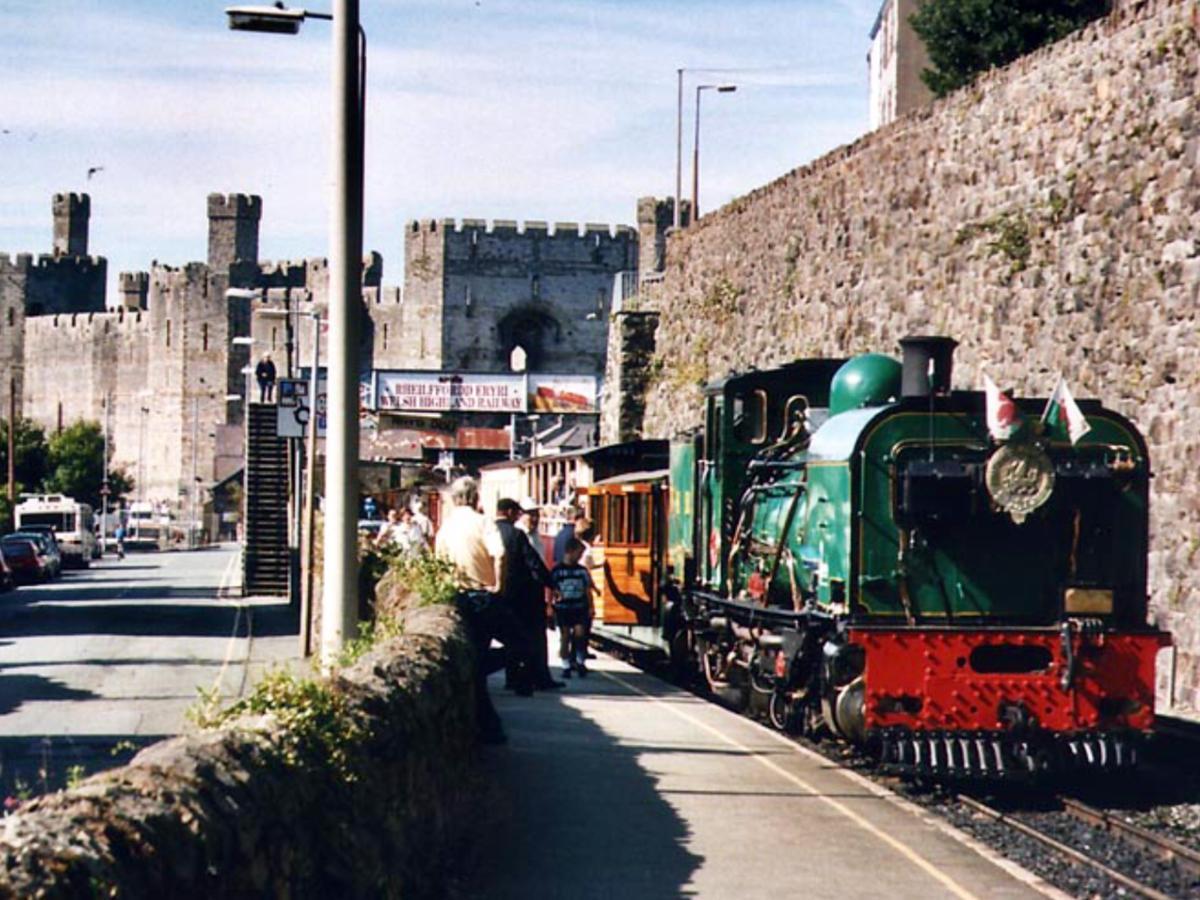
<point x="1003" y="754"/>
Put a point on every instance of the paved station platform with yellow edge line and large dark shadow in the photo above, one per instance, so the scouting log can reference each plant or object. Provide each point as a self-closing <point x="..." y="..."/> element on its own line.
<point x="623" y="788"/>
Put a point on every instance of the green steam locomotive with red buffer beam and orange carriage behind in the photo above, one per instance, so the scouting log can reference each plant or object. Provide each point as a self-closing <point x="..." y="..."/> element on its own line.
<point x="854" y="549"/>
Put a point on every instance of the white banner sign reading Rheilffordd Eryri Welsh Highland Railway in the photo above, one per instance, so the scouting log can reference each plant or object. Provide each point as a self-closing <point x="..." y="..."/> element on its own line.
<point x="443" y="392"/>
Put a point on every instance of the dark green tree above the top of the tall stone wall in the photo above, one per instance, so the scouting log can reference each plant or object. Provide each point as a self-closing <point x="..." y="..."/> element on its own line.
<point x="965" y="38"/>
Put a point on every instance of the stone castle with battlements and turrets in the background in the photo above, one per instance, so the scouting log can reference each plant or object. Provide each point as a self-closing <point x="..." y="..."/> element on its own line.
<point x="164" y="362"/>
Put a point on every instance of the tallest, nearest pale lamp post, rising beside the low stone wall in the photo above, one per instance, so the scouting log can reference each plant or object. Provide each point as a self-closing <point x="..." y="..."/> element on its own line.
<point x="340" y="608"/>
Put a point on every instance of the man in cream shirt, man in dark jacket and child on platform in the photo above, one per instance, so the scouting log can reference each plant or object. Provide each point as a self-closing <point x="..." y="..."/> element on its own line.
<point x="507" y="577"/>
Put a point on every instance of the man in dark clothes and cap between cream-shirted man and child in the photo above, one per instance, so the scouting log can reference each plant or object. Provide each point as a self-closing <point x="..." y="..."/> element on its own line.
<point x="525" y="590"/>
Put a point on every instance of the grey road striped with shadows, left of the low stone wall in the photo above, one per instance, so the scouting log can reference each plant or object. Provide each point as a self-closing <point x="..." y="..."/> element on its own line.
<point x="110" y="659"/>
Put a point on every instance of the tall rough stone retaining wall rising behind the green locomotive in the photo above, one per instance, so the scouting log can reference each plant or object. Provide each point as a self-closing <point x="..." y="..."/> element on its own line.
<point x="1048" y="218"/>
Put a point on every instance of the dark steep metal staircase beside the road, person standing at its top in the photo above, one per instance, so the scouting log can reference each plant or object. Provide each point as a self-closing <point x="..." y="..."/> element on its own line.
<point x="266" y="560"/>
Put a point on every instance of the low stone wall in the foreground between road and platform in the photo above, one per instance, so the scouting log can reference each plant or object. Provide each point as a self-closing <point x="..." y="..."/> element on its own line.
<point x="219" y="814"/>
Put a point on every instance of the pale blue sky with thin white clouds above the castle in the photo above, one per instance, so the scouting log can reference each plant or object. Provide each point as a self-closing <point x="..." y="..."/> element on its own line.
<point x="527" y="110"/>
